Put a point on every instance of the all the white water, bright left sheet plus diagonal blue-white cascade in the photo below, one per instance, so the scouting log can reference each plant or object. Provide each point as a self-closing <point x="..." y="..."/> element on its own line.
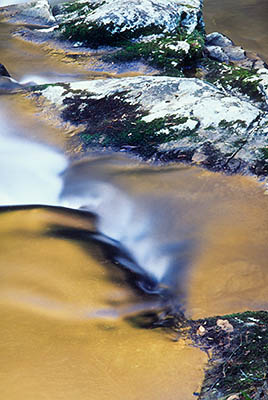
<point x="31" y="173"/>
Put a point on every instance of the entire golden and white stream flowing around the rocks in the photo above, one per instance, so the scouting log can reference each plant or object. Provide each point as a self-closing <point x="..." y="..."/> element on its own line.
<point x="91" y="247"/>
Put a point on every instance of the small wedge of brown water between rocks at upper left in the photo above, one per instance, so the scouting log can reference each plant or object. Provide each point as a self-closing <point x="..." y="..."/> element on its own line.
<point x="27" y="61"/>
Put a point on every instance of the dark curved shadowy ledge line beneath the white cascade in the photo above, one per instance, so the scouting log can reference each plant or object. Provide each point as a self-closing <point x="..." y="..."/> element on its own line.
<point x="163" y="297"/>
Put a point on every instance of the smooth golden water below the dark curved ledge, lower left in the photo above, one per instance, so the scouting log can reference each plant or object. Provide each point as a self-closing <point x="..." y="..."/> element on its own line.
<point x="54" y="344"/>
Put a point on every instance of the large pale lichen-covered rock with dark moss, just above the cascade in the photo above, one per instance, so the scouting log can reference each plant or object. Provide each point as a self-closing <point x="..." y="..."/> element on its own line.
<point x="165" y="118"/>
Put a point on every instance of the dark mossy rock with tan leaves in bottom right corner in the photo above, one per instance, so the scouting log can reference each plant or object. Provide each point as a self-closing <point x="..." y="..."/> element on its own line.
<point x="239" y="357"/>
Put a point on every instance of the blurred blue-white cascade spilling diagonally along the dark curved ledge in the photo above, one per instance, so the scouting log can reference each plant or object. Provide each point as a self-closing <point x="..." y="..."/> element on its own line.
<point x="122" y="219"/>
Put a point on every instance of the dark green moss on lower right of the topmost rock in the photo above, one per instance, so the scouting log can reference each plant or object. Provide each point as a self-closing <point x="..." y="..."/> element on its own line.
<point x="162" y="53"/>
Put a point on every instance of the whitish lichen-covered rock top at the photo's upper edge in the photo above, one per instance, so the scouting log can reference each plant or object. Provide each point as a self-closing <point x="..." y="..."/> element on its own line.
<point x="104" y="22"/>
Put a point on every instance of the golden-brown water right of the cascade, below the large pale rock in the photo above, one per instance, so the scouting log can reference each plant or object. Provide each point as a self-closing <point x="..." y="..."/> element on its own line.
<point x="212" y="228"/>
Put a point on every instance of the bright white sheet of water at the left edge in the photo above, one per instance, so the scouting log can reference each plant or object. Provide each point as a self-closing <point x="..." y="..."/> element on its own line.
<point x="29" y="172"/>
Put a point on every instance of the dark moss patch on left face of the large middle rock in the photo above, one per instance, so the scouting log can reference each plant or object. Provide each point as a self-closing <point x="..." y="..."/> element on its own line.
<point x="113" y="122"/>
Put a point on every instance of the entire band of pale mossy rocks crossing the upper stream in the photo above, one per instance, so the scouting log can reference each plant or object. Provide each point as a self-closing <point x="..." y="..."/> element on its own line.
<point x="206" y="104"/>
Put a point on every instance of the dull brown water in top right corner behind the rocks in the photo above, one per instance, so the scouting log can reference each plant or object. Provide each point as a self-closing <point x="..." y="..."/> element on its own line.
<point x="244" y="21"/>
